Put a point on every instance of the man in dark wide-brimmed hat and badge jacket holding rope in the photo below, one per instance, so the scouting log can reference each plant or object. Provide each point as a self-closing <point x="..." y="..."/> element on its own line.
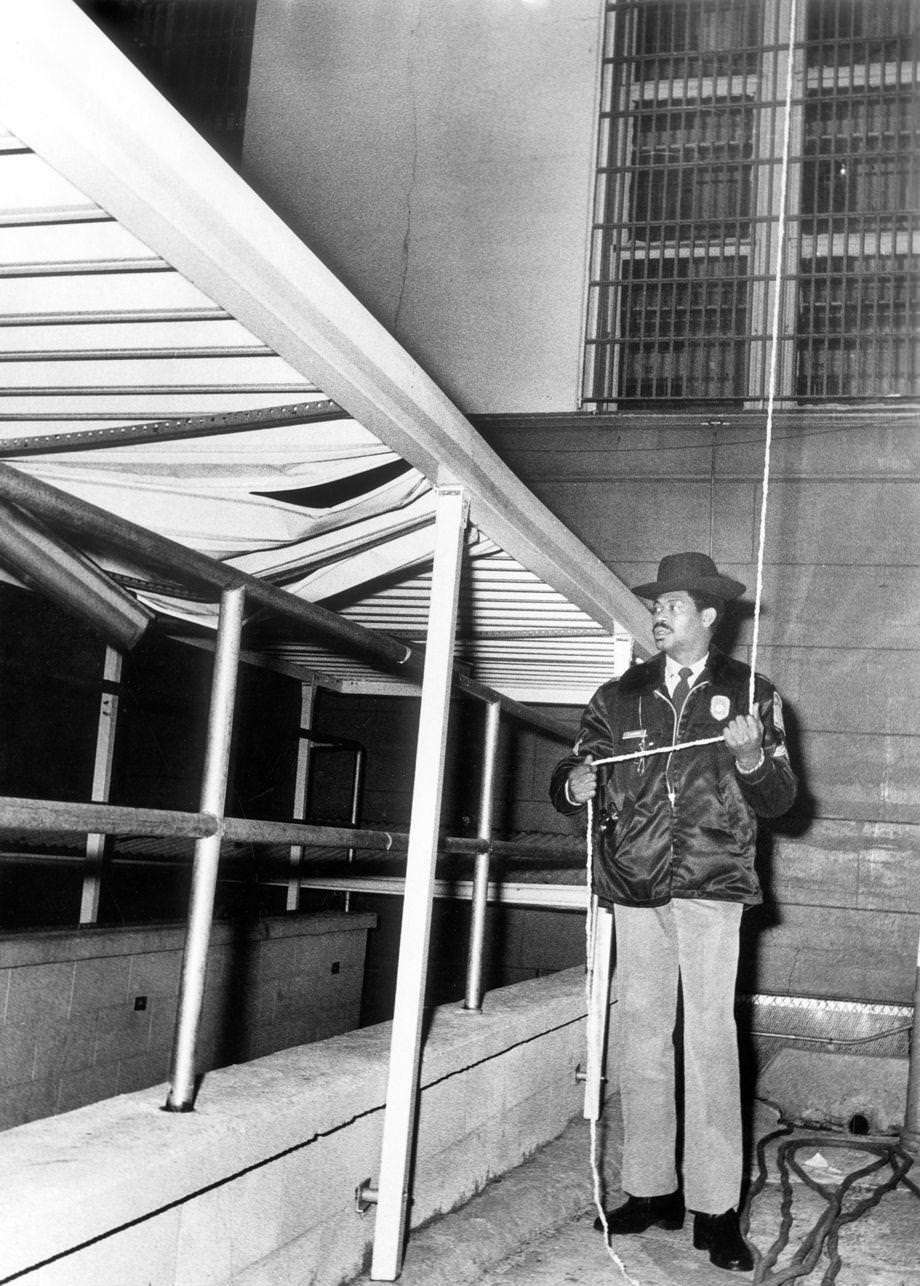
<point x="675" y="857"/>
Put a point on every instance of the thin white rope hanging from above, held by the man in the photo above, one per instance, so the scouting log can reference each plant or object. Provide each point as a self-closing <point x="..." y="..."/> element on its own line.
<point x="595" y="1020"/>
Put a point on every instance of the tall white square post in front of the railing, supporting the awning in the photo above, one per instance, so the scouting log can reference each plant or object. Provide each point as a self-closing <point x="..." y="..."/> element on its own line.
<point x="406" y="1042"/>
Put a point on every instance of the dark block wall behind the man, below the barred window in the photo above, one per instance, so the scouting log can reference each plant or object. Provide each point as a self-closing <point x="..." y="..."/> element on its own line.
<point x="838" y="635"/>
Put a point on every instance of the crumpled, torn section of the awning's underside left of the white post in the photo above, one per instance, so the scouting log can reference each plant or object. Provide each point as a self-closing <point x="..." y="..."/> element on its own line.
<point x="255" y="501"/>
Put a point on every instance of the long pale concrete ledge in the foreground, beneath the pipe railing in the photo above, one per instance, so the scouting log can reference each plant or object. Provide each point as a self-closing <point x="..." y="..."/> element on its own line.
<point x="263" y="1173"/>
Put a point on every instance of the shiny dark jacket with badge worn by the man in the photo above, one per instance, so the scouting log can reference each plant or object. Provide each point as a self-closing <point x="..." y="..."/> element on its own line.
<point x="680" y="825"/>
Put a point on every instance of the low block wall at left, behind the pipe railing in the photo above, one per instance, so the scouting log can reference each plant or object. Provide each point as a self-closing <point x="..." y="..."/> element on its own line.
<point x="89" y="1014"/>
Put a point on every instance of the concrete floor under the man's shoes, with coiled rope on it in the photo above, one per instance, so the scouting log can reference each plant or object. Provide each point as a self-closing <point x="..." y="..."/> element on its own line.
<point x="535" y="1226"/>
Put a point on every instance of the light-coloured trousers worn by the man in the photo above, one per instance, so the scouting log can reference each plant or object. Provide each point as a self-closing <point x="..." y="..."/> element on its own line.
<point x="697" y="942"/>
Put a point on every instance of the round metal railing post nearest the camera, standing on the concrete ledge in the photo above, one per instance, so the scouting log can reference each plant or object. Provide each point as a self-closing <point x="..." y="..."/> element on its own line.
<point x="207" y="852"/>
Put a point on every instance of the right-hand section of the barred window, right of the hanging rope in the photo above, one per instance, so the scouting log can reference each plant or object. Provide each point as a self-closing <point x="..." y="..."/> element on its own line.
<point x="856" y="330"/>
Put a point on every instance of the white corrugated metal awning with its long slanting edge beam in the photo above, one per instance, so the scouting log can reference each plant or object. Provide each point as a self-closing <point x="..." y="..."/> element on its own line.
<point x="173" y="354"/>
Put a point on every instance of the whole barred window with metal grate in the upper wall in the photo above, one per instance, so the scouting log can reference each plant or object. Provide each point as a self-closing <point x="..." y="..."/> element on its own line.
<point x="688" y="210"/>
